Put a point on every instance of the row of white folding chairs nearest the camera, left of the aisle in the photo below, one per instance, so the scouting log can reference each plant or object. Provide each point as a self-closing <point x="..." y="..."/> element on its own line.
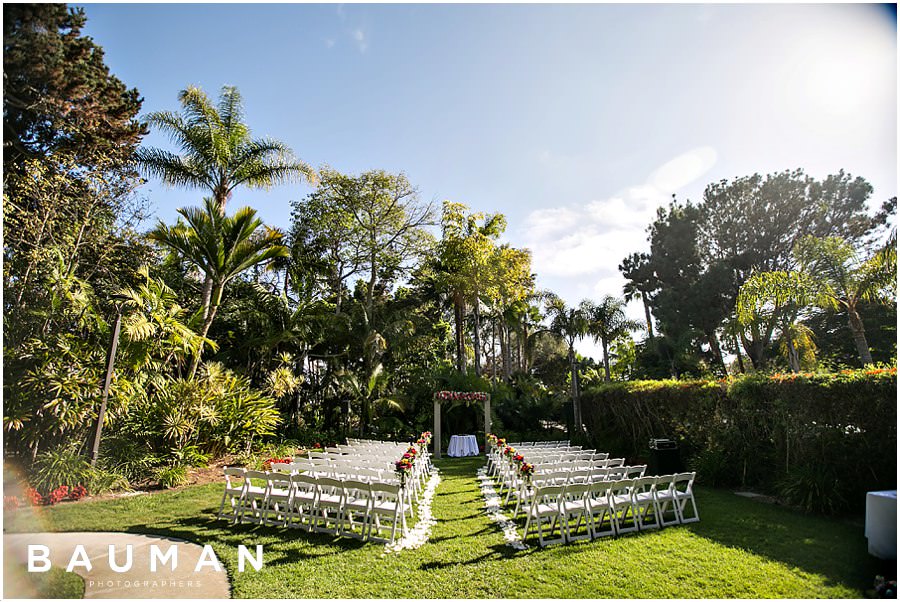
<point x="322" y="504"/>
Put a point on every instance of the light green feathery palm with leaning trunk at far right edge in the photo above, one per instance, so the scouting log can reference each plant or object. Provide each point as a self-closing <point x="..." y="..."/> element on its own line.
<point x="845" y="279"/>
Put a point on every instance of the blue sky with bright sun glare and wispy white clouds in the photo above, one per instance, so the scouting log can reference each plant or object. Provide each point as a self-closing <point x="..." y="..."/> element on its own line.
<point x="576" y="121"/>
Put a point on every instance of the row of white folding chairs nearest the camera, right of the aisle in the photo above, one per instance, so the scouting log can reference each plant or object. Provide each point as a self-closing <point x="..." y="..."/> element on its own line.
<point x="613" y="504"/>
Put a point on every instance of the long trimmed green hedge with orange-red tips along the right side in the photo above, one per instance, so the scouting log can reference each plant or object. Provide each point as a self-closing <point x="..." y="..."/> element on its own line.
<point x="819" y="441"/>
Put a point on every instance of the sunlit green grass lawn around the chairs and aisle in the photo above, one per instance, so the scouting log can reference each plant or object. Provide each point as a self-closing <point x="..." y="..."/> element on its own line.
<point x="740" y="548"/>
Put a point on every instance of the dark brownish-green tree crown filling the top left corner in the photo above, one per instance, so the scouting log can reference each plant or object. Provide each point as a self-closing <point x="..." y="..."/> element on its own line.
<point x="59" y="98"/>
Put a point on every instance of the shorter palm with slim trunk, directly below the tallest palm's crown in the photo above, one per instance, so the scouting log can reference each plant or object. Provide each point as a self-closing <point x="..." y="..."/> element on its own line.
<point x="221" y="247"/>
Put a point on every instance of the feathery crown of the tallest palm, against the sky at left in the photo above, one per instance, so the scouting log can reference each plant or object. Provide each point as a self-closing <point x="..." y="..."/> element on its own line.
<point x="218" y="153"/>
